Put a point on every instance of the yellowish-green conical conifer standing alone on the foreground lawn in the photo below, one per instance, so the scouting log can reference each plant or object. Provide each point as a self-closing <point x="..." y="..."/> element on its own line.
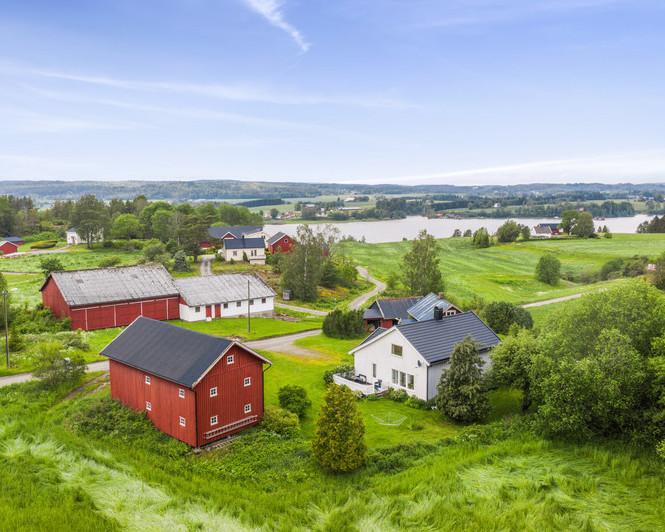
<point x="339" y="444"/>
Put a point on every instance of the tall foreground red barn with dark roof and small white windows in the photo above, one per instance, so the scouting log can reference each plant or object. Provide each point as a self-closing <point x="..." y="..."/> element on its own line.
<point x="192" y="386"/>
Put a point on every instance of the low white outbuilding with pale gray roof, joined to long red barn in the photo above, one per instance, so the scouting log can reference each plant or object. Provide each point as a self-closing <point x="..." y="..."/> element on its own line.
<point x="221" y="296"/>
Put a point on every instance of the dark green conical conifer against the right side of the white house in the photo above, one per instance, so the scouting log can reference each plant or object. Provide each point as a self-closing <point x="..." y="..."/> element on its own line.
<point x="461" y="394"/>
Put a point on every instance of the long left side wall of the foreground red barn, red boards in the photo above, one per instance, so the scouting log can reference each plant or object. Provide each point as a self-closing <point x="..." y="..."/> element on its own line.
<point x="128" y="386"/>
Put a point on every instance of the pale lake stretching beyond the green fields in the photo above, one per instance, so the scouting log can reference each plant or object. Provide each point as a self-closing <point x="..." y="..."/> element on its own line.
<point x="396" y="230"/>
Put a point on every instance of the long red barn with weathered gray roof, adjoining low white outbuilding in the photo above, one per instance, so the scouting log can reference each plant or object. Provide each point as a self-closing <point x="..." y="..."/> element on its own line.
<point x="111" y="297"/>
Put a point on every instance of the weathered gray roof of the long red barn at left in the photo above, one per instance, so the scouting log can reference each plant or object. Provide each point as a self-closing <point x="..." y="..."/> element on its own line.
<point x="108" y="285"/>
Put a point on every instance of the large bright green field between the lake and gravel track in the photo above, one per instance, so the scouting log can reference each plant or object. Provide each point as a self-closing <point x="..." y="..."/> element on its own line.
<point x="506" y="272"/>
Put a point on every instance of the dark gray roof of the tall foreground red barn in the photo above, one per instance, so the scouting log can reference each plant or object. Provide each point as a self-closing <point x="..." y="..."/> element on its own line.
<point x="168" y="351"/>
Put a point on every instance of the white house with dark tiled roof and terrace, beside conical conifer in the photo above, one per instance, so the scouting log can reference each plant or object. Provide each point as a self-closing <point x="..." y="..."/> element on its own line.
<point x="412" y="356"/>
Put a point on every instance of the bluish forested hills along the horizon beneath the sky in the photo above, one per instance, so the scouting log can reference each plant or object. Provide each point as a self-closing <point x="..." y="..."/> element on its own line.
<point x="232" y="190"/>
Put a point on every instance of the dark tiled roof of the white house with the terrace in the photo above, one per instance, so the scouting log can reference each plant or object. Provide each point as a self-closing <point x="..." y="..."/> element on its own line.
<point x="435" y="340"/>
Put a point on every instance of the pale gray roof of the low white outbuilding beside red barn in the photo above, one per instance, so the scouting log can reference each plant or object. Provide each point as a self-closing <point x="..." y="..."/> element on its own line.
<point x="213" y="289"/>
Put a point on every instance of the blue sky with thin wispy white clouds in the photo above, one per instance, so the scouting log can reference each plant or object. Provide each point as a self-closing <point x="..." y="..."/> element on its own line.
<point x="392" y="91"/>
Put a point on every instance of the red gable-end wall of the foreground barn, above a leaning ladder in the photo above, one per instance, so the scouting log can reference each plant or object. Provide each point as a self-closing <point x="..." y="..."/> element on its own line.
<point x="232" y="395"/>
